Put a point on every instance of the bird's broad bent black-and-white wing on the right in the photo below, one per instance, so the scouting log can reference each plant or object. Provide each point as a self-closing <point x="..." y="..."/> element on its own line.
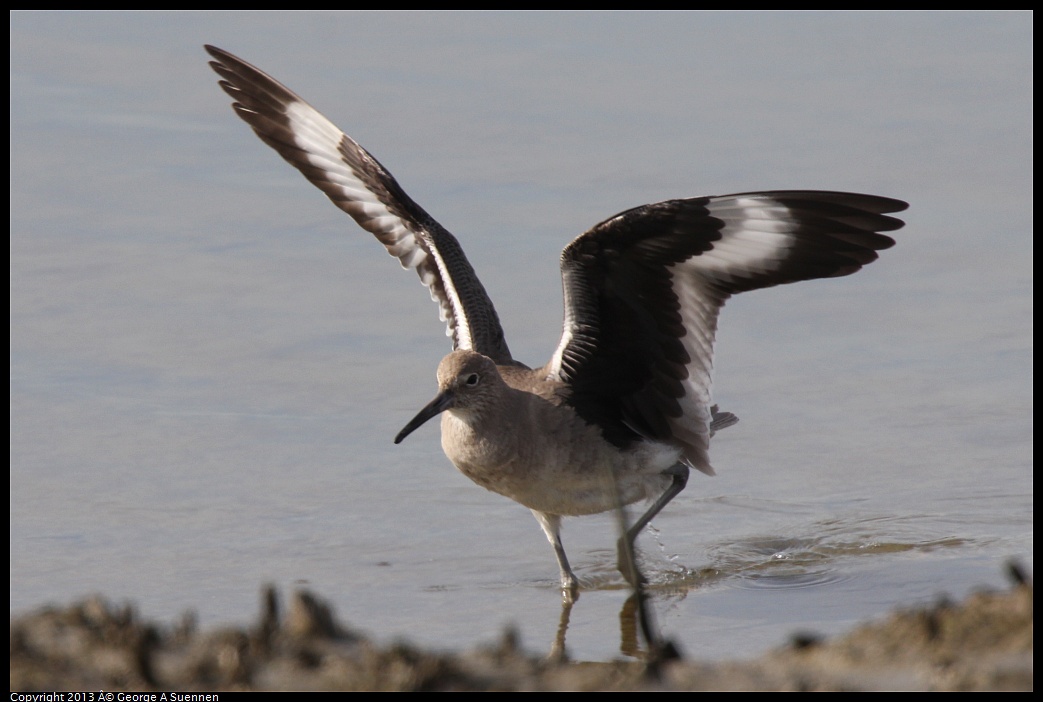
<point x="643" y="292"/>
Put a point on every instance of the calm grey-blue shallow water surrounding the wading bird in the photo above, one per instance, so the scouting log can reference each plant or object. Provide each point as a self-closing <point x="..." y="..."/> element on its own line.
<point x="209" y="361"/>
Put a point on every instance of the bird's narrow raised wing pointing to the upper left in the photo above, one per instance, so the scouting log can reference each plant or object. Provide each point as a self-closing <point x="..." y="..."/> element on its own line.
<point x="360" y="186"/>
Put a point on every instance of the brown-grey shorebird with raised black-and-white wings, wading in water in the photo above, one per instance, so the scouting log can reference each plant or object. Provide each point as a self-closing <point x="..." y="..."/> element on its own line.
<point x="622" y="411"/>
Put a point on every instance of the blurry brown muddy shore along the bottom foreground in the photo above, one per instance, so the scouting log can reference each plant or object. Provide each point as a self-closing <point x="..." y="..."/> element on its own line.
<point x="982" y="644"/>
